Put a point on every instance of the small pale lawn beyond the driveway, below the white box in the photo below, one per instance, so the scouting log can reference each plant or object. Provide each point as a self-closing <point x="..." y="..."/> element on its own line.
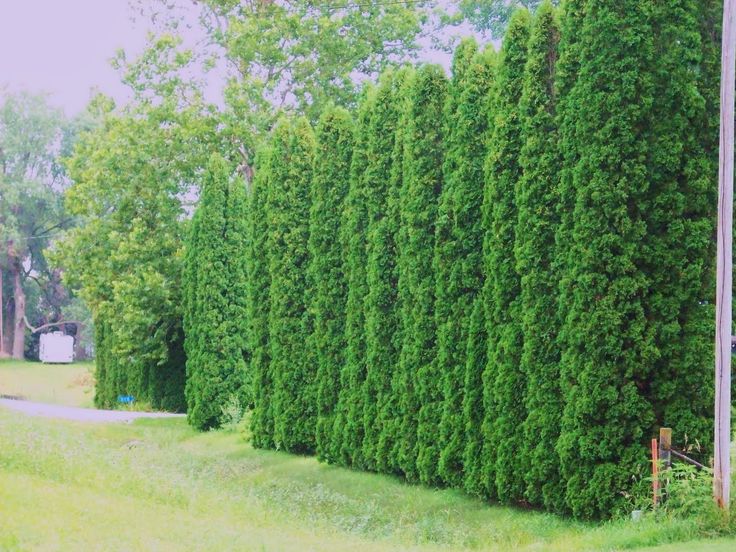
<point x="67" y="384"/>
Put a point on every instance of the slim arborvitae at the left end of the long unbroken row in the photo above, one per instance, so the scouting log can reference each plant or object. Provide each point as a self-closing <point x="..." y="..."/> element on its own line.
<point x="259" y="305"/>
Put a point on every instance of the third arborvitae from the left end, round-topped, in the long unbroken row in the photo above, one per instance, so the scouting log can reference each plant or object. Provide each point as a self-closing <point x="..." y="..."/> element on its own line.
<point x="329" y="187"/>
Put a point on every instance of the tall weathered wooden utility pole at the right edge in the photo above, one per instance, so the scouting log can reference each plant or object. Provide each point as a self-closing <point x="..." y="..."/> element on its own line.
<point x="722" y="449"/>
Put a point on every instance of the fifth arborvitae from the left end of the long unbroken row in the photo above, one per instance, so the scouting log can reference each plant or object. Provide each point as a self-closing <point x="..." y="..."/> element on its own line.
<point x="381" y="315"/>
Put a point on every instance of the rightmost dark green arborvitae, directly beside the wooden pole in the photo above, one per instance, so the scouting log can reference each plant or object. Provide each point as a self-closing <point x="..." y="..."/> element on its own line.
<point x="678" y="248"/>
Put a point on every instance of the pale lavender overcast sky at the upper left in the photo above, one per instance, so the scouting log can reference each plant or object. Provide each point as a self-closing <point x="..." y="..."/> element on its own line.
<point x="63" y="47"/>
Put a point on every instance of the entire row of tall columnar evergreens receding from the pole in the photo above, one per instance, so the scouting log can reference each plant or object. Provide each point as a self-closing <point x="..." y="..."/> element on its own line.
<point x="500" y="283"/>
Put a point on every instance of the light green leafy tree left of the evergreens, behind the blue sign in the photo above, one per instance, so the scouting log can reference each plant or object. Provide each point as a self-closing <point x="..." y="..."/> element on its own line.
<point x="131" y="173"/>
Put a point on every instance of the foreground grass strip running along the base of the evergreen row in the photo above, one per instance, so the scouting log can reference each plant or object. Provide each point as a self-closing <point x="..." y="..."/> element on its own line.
<point x="158" y="485"/>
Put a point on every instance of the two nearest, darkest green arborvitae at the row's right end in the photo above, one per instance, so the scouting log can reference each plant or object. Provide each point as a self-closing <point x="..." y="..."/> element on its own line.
<point x="638" y="230"/>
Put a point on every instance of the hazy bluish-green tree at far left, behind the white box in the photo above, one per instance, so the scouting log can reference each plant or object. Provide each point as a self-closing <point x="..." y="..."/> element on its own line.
<point x="33" y="135"/>
